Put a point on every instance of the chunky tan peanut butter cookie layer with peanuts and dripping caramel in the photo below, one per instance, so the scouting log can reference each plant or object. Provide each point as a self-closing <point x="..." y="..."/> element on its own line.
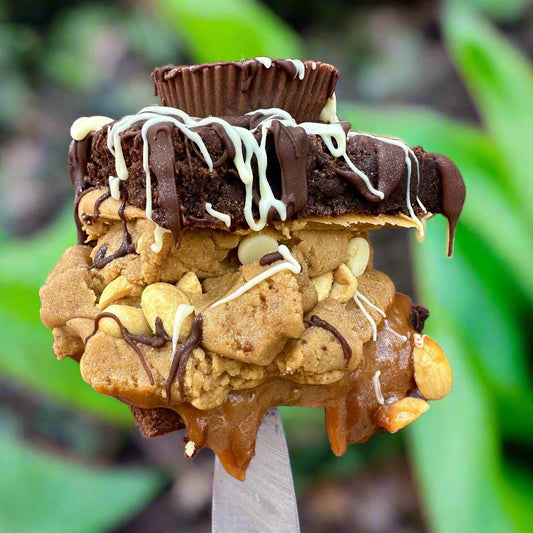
<point x="226" y="325"/>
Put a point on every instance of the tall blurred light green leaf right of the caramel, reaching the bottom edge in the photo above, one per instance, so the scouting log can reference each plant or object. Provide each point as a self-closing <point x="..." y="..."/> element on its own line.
<point x="455" y="447"/>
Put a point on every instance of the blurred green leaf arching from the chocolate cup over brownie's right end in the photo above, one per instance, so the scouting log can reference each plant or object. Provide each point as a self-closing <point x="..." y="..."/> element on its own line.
<point x="489" y="211"/>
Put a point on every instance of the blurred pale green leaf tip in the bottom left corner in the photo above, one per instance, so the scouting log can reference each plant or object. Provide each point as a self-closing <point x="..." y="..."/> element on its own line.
<point x="48" y="494"/>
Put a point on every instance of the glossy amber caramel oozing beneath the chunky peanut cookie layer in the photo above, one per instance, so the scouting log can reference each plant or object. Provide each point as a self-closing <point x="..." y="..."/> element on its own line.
<point x="231" y="429"/>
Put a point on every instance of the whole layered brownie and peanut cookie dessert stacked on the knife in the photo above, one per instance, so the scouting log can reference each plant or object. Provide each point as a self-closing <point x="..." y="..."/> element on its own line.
<point x="223" y="264"/>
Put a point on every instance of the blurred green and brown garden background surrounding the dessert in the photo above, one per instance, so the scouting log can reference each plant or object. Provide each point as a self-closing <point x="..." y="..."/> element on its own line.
<point x="455" y="77"/>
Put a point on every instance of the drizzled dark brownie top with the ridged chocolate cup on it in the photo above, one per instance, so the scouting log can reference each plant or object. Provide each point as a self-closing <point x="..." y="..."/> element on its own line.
<point x="249" y="170"/>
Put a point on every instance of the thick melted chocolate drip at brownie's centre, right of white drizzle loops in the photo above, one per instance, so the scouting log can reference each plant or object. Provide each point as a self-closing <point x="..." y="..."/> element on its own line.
<point x="291" y="148"/>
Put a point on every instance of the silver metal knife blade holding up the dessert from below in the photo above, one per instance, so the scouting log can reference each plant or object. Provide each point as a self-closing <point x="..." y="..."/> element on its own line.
<point x="265" y="501"/>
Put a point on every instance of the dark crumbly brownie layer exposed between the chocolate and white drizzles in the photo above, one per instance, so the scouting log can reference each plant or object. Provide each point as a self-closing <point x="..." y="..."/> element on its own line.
<point x="332" y="188"/>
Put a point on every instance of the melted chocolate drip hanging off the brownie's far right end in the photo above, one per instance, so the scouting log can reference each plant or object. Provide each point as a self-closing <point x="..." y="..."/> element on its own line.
<point x="453" y="194"/>
